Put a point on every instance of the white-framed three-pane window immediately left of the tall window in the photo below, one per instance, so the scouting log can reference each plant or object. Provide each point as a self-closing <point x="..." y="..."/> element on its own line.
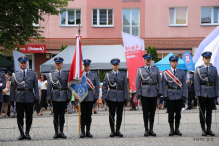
<point x="102" y="18"/>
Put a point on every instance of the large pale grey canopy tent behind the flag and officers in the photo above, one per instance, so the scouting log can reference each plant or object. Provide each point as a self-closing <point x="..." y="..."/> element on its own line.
<point x="100" y="55"/>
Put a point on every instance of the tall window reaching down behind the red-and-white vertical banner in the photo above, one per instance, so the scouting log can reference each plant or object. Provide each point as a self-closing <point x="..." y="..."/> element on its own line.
<point x="131" y="21"/>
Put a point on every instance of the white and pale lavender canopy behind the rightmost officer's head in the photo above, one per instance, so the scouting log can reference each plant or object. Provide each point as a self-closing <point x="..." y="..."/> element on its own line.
<point x="210" y="43"/>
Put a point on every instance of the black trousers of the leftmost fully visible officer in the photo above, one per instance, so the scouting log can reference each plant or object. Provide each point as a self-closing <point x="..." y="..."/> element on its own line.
<point x="28" y="109"/>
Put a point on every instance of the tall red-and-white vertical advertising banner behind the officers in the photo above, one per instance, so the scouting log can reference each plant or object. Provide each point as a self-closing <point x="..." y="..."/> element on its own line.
<point x="134" y="49"/>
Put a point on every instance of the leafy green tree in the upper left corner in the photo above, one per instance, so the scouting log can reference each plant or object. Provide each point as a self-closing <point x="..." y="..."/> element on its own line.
<point x="17" y="18"/>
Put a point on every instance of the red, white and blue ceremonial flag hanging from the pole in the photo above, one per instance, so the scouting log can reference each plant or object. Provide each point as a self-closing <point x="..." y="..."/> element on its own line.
<point x="77" y="81"/>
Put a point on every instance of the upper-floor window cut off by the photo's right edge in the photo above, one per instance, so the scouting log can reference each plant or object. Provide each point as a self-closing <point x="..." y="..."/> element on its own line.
<point x="209" y="15"/>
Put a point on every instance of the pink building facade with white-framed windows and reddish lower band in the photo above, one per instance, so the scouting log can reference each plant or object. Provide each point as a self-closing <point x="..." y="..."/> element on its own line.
<point x="169" y="26"/>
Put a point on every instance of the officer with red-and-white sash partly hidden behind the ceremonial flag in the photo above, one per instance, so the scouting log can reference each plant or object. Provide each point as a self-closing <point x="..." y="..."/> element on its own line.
<point x="89" y="100"/>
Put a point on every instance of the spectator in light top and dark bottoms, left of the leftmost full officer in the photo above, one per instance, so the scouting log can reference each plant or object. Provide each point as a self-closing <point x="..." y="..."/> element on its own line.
<point x="6" y="93"/>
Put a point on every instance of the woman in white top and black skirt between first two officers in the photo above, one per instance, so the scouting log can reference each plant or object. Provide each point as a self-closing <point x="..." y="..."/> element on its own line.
<point x="43" y="102"/>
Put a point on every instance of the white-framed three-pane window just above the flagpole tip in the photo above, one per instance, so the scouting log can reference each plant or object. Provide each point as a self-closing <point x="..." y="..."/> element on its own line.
<point x="70" y="17"/>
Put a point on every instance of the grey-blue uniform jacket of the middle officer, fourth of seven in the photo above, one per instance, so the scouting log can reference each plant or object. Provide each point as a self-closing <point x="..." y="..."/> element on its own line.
<point x="111" y="94"/>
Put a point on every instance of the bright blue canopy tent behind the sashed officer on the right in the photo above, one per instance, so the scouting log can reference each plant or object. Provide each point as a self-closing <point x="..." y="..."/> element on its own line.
<point x="164" y="64"/>
